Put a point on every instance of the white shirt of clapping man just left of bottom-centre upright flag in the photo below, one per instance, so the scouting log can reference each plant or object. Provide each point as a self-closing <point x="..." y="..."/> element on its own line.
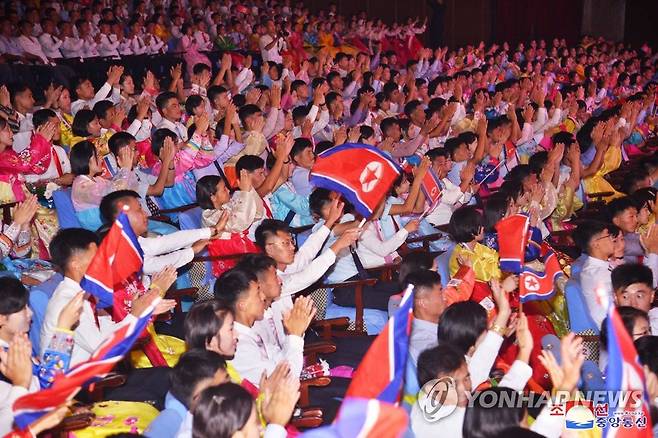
<point x="254" y="355"/>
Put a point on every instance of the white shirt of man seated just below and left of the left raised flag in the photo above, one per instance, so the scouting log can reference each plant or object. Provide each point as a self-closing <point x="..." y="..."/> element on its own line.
<point x="87" y="335"/>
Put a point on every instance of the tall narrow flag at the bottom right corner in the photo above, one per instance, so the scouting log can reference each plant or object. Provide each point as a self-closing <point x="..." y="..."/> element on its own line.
<point x="625" y="375"/>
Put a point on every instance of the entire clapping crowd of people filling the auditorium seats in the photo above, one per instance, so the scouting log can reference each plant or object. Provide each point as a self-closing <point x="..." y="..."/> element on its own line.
<point x="214" y="159"/>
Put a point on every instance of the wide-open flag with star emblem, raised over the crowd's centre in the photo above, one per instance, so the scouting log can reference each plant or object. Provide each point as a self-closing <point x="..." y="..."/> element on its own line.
<point x="361" y="173"/>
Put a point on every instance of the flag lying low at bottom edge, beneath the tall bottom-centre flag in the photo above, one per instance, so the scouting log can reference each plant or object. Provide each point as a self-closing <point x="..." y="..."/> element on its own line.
<point x="364" y="418"/>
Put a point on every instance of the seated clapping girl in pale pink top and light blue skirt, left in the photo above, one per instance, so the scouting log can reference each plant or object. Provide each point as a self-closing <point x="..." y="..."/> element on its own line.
<point x="89" y="188"/>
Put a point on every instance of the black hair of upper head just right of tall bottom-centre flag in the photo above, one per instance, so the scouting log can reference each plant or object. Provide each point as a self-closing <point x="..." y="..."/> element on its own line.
<point x="461" y="324"/>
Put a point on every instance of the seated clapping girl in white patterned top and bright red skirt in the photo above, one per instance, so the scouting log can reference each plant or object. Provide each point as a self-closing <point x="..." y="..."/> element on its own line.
<point x="236" y="213"/>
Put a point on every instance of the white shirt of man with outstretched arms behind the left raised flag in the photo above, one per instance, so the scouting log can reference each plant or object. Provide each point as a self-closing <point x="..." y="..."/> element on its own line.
<point x="173" y="249"/>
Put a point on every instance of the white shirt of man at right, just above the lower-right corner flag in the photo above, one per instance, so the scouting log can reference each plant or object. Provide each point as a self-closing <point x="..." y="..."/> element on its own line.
<point x="594" y="275"/>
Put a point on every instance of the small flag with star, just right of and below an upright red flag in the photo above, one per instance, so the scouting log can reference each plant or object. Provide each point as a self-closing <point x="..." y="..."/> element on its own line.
<point x="535" y="285"/>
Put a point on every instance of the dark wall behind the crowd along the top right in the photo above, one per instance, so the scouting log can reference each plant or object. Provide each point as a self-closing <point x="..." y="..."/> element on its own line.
<point x="469" y="21"/>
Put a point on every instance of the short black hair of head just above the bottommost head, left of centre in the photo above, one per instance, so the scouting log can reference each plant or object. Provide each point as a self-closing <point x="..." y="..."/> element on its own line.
<point x="193" y="366"/>
